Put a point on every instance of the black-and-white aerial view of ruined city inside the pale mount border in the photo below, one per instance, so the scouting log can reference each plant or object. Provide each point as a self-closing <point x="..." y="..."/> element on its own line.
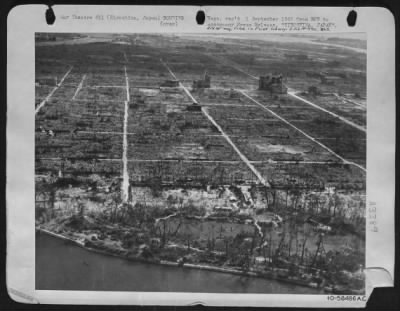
<point x="200" y="163"/>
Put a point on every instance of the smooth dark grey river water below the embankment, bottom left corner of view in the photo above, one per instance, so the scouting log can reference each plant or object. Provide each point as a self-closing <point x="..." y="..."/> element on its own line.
<point x="63" y="266"/>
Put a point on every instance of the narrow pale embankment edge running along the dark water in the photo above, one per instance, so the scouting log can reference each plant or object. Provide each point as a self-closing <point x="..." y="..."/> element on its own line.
<point x="266" y="275"/>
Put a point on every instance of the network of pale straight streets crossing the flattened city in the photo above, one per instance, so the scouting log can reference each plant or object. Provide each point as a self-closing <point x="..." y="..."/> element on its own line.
<point x="124" y="157"/>
